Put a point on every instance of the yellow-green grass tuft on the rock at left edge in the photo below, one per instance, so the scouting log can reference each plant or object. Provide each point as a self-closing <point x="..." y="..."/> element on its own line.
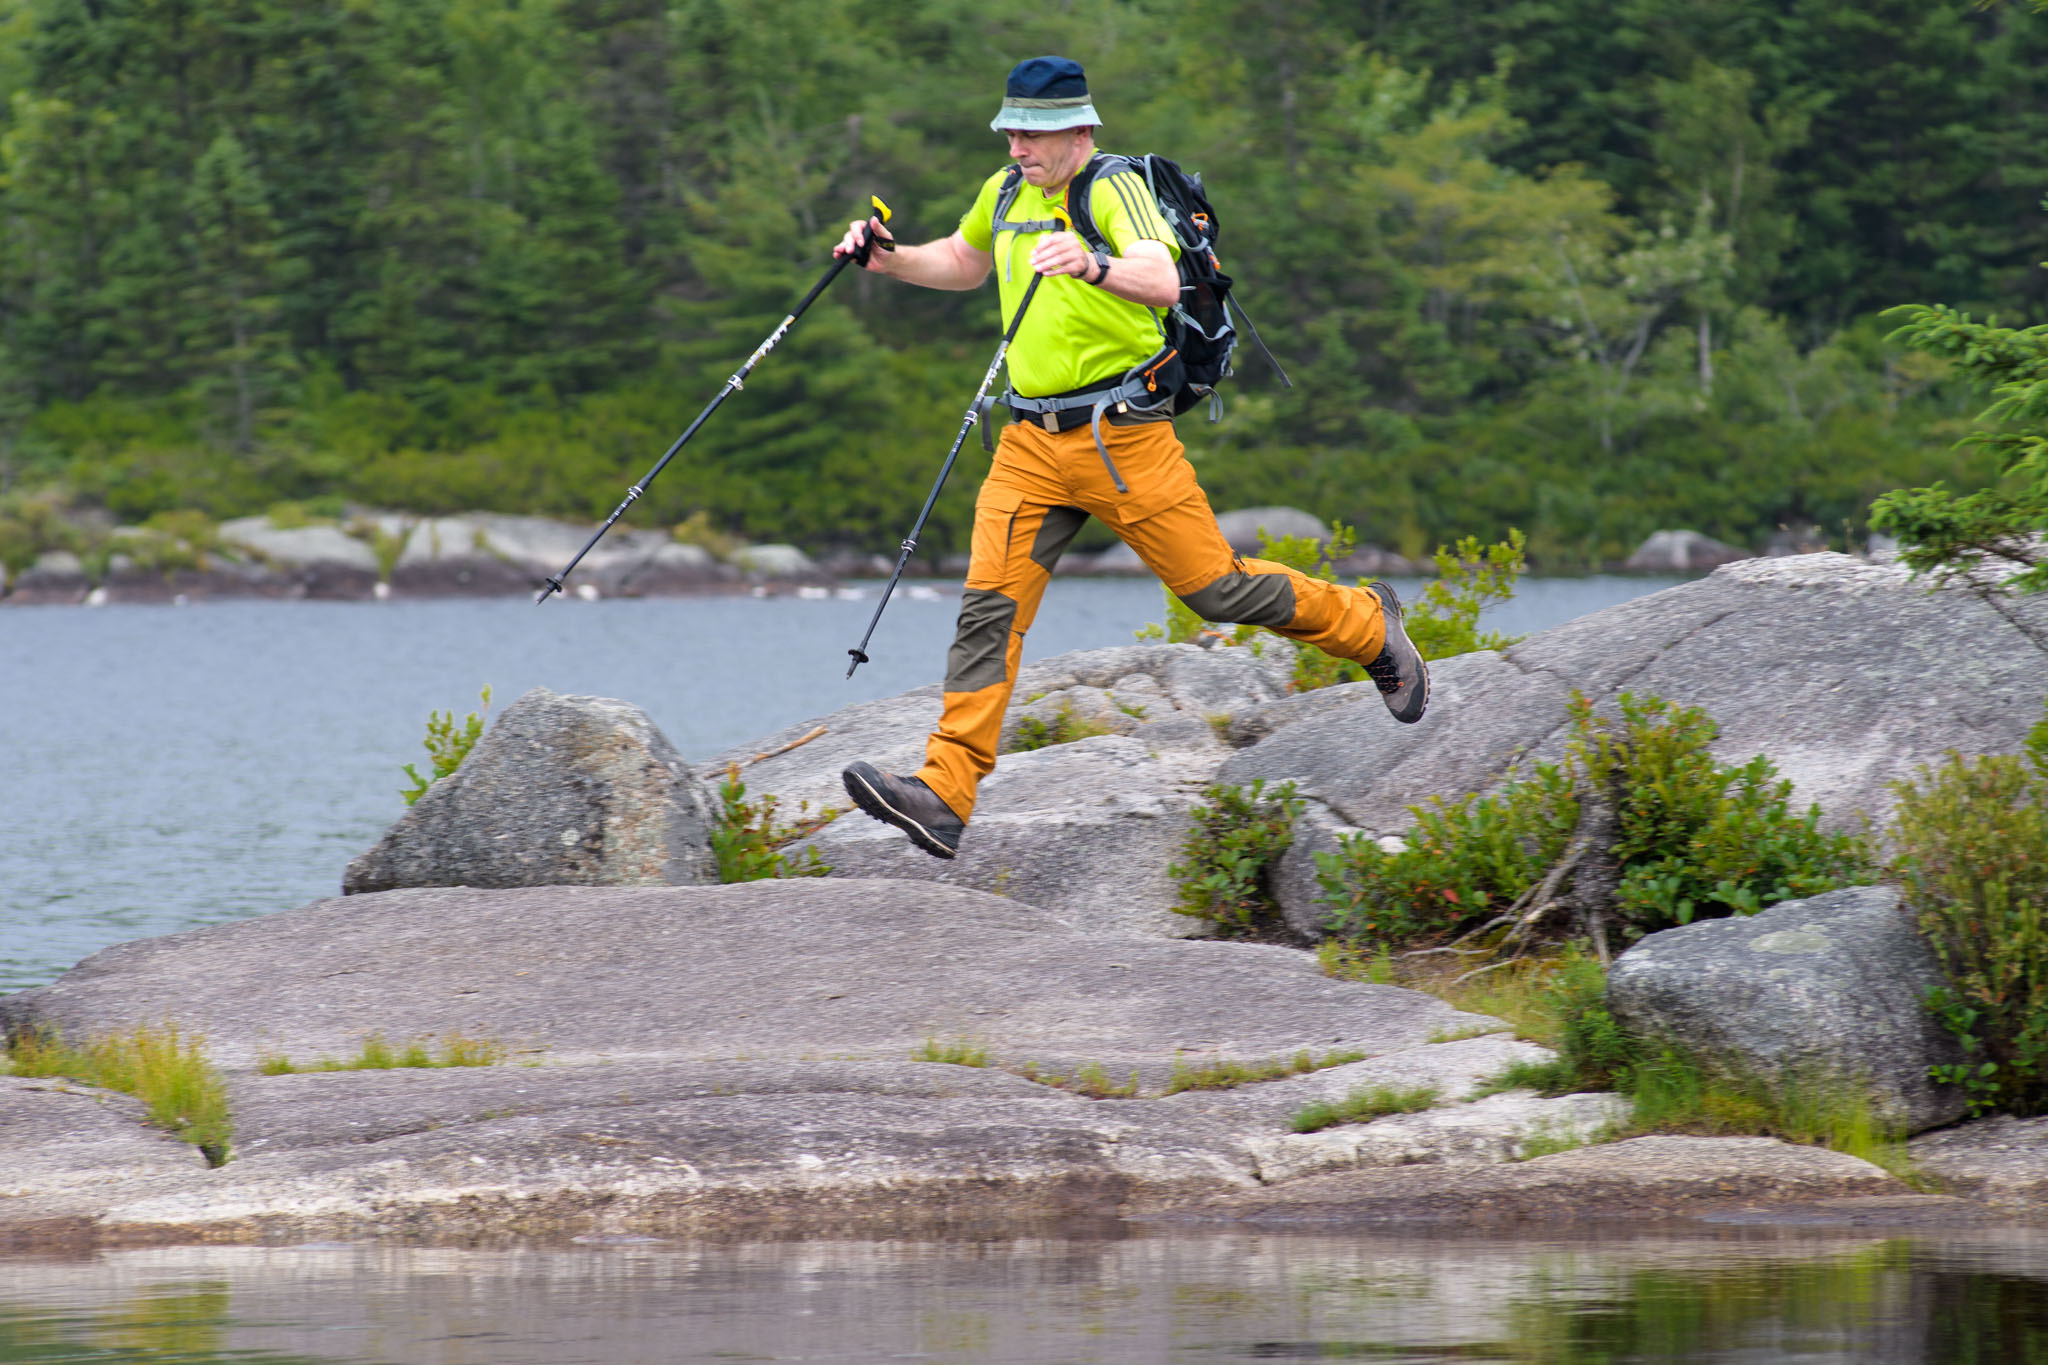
<point x="165" y="1069"/>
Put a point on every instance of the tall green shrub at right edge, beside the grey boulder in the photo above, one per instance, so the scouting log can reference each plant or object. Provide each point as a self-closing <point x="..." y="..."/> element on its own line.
<point x="1973" y="861"/>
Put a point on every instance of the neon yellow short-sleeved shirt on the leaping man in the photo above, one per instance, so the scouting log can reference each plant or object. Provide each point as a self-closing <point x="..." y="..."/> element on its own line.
<point x="1074" y="335"/>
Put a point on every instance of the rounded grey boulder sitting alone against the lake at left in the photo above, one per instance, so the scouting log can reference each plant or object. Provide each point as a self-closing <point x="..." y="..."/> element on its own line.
<point x="562" y="791"/>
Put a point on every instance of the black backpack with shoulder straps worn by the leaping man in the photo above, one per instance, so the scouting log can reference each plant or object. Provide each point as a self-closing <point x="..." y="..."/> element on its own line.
<point x="1201" y="333"/>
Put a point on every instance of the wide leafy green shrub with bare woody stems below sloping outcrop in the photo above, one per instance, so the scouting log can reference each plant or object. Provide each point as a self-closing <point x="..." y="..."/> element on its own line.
<point x="1695" y="838"/>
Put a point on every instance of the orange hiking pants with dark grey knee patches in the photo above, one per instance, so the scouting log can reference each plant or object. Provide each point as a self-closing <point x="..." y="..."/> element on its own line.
<point x="1039" y="492"/>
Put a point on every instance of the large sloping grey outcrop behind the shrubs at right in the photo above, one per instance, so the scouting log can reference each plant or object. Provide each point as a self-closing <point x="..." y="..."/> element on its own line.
<point x="1820" y="662"/>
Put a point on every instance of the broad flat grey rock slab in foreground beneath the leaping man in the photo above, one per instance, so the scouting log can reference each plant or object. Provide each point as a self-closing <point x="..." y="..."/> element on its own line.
<point x="697" y="1059"/>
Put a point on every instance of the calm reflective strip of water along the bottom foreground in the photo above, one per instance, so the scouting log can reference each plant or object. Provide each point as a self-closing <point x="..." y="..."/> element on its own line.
<point x="1736" y="1296"/>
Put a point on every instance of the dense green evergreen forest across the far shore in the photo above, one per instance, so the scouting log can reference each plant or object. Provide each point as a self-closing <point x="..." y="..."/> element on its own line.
<point x="1578" y="267"/>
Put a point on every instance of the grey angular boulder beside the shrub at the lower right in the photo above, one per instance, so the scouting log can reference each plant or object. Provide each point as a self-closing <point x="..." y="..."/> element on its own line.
<point x="1824" y="992"/>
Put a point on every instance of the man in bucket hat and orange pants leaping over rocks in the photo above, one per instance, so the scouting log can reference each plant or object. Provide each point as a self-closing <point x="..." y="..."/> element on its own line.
<point x="1095" y="324"/>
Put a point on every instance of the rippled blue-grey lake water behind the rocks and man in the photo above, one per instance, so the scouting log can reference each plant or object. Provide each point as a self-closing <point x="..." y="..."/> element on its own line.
<point x="165" y="768"/>
